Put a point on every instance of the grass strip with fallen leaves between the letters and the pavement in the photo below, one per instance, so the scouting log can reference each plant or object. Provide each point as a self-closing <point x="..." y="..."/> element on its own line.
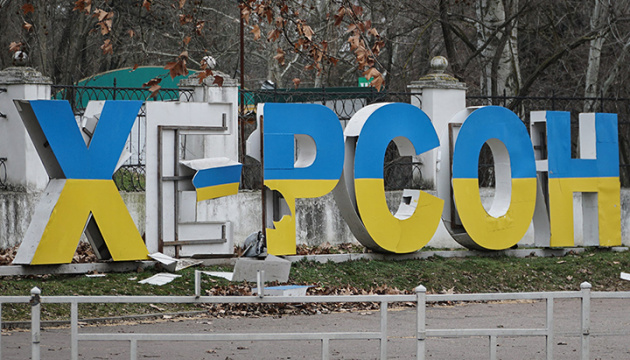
<point x="601" y="268"/>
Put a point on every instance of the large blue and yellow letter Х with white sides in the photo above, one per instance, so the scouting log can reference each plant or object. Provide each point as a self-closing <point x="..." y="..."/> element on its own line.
<point x="81" y="195"/>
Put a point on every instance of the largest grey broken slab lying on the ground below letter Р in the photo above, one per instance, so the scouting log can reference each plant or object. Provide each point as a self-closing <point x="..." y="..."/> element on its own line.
<point x="275" y="268"/>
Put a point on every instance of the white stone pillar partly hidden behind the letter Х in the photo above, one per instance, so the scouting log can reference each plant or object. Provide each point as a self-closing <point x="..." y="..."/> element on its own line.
<point x="25" y="171"/>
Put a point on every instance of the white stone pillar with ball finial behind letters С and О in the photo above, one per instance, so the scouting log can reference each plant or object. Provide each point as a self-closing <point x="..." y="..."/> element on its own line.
<point x="440" y="96"/>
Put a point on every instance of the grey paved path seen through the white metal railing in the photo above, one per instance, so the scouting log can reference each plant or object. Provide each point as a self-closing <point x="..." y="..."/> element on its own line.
<point x="606" y="315"/>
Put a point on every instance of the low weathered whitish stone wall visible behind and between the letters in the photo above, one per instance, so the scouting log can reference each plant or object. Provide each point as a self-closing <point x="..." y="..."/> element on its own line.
<point x="318" y="220"/>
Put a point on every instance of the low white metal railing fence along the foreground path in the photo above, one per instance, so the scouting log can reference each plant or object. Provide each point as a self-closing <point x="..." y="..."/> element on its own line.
<point x="420" y="298"/>
